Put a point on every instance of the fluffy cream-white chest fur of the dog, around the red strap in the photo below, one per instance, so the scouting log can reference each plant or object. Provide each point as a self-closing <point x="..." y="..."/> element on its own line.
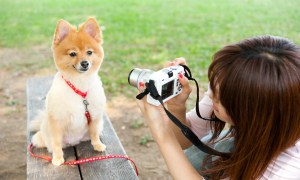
<point x="68" y="109"/>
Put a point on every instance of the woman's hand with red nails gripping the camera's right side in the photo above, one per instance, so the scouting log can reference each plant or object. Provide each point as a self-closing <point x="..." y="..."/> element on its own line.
<point x="179" y="101"/>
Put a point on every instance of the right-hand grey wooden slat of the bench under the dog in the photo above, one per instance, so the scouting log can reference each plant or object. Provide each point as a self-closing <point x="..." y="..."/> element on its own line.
<point x="109" y="169"/>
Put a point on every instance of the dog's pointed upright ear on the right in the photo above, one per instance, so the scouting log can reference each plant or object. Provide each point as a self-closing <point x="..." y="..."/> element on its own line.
<point x="92" y="28"/>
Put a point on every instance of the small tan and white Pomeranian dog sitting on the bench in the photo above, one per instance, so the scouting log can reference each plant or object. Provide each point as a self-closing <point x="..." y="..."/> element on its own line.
<point x="75" y="102"/>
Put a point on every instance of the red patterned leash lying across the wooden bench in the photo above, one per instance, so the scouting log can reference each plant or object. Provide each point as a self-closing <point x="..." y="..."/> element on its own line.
<point x="85" y="160"/>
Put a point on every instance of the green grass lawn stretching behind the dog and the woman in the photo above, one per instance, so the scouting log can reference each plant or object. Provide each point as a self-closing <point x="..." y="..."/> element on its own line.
<point x="147" y="33"/>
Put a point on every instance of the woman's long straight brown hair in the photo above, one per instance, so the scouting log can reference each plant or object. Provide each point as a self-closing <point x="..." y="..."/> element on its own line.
<point x="259" y="86"/>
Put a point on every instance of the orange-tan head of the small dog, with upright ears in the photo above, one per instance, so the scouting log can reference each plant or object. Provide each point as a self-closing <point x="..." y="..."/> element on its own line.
<point x="78" y="51"/>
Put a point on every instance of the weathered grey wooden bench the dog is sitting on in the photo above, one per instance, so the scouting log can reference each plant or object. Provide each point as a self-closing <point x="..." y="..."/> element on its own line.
<point x="113" y="169"/>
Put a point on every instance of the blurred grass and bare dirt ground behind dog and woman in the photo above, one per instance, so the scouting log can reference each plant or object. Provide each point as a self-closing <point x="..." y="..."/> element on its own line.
<point x="141" y="34"/>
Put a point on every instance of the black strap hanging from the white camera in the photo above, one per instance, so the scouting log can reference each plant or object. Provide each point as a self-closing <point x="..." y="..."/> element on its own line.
<point x="188" y="133"/>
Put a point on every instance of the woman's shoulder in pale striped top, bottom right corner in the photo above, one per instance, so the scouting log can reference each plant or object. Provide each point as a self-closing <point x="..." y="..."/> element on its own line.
<point x="286" y="165"/>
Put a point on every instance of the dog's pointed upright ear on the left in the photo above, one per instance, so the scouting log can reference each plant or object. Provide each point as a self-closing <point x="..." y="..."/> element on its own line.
<point x="62" y="30"/>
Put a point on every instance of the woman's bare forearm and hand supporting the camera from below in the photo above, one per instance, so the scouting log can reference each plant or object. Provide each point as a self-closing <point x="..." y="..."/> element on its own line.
<point x="158" y="122"/>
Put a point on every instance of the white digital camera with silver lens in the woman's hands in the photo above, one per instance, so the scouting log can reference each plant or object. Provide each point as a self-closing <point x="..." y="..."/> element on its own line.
<point x="165" y="80"/>
